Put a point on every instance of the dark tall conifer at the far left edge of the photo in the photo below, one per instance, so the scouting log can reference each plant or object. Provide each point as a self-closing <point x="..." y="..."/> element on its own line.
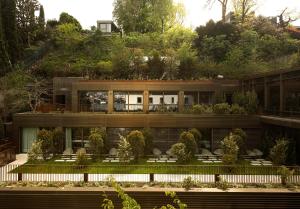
<point x="9" y="32"/>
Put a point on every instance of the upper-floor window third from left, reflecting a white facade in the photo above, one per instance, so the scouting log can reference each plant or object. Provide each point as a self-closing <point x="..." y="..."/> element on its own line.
<point x="163" y="101"/>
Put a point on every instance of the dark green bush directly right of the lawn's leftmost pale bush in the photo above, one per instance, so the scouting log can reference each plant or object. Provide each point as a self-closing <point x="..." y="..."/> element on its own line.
<point x="46" y="138"/>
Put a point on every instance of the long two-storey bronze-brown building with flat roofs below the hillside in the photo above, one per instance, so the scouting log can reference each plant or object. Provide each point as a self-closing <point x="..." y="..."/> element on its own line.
<point x="122" y="105"/>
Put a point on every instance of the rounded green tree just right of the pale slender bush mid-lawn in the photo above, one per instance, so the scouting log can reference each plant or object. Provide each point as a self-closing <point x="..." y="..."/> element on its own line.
<point x="137" y="142"/>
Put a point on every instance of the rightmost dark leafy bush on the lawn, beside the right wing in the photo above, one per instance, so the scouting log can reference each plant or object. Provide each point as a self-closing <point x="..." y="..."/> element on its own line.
<point x="278" y="152"/>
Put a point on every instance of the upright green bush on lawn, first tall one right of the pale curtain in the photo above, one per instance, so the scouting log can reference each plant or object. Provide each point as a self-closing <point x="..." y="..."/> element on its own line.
<point x="96" y="143"/>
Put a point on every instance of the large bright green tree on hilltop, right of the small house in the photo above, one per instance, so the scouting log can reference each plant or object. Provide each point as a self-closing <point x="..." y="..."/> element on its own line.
<point x="146" y="15"/>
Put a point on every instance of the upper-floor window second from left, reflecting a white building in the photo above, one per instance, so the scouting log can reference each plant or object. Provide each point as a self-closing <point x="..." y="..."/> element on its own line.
<point x="128" y="101"/>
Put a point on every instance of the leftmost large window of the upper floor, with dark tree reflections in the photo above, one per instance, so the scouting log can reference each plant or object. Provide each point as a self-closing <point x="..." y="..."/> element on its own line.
<point x="93" y="101"/>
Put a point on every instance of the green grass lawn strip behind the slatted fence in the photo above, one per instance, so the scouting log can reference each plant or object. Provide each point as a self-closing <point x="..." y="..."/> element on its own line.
<point x="142" y="167"/>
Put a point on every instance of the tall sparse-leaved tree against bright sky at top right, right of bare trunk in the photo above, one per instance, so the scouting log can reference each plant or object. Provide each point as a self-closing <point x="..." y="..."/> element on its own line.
<point x="243" y="9"/>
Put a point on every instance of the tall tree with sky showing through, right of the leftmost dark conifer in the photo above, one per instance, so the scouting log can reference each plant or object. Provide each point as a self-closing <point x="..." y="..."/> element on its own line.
<point x="26" y="20"/>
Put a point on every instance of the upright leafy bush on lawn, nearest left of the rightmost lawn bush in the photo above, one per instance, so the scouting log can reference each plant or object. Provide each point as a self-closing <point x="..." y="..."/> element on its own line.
<point x="231" y="149"/>
